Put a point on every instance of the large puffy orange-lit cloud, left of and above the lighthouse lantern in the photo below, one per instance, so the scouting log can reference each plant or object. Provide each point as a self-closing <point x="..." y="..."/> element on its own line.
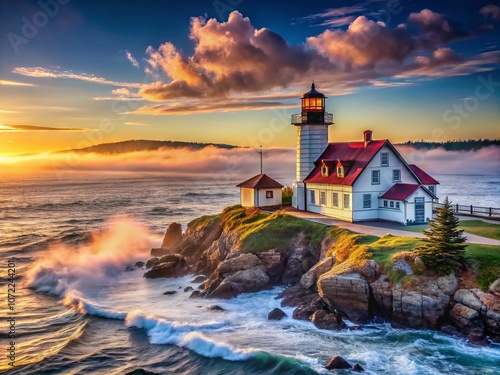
<point x="229" y="57"/>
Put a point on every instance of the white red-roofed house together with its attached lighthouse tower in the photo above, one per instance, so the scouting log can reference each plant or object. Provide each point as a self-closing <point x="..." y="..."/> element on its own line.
<point x="355" y="181"/>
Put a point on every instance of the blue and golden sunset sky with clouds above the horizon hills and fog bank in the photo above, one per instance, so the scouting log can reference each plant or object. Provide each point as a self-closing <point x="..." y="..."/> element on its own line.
<point x="74" y="73"/>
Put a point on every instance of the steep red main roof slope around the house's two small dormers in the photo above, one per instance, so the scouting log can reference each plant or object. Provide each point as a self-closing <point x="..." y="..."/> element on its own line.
<point x="354" y="152"/>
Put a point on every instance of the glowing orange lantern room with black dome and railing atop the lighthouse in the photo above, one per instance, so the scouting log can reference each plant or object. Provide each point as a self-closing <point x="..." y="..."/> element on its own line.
<point x="313" y="109"/>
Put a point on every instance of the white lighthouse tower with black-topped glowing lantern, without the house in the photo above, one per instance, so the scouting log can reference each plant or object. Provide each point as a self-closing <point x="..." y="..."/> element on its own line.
<point x="312" y="138"/>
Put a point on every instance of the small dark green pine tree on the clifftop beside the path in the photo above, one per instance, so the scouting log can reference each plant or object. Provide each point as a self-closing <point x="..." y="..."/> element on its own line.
<point x="443" y="249"/>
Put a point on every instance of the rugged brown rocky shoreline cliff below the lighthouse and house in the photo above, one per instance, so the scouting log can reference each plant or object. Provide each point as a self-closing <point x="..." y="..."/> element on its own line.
<point x="323" y="287"/>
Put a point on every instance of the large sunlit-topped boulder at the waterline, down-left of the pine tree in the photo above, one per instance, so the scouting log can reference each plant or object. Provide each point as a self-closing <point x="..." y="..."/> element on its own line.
<point x="348" y="292"/>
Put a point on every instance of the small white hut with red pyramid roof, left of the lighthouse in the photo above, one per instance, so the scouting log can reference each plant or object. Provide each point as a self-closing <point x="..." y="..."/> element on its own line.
<point x="260" y="191"/>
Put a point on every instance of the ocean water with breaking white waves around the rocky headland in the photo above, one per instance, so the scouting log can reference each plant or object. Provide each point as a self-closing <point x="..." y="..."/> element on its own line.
<point x="77" y="311"/>
